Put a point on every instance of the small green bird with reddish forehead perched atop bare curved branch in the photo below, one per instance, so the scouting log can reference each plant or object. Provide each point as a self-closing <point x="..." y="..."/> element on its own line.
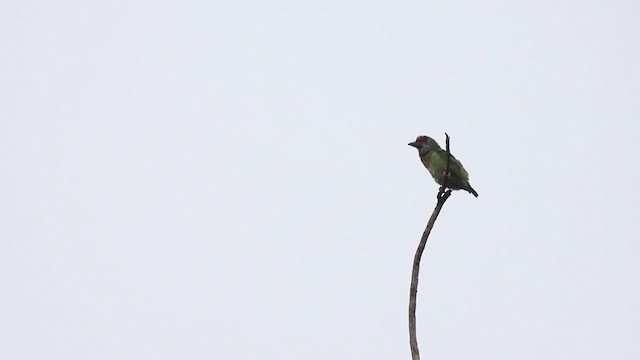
<point x="435" y="160"/>
